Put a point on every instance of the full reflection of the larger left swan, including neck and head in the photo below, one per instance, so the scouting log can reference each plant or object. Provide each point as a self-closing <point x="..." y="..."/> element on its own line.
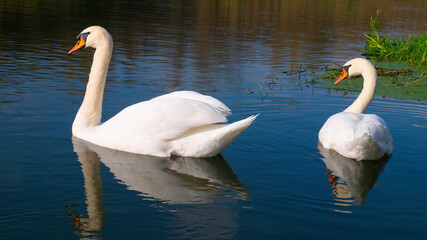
<point x="172" y="181"/>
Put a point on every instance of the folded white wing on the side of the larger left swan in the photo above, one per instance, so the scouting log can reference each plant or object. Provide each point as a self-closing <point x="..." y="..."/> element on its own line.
<point x="163" y="118"/>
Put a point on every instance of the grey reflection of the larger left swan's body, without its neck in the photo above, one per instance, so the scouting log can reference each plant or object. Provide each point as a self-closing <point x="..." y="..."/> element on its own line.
<point x="177" y="180"/>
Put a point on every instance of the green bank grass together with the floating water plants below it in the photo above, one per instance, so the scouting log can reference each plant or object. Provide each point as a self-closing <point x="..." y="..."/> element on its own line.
<point x="401" y="66"/>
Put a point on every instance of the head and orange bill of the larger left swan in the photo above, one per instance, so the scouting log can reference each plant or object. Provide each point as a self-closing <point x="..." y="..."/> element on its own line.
<point x="94" y="37"/>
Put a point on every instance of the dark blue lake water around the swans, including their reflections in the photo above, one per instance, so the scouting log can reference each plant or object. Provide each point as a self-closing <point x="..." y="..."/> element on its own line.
<point x="273" y="182"/>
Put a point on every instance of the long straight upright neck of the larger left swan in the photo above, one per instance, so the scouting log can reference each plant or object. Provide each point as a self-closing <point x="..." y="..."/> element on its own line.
<point x="90" y="111"/>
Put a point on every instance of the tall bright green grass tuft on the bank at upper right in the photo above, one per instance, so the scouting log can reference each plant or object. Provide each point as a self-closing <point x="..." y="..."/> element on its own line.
<point x="412" y="50"/>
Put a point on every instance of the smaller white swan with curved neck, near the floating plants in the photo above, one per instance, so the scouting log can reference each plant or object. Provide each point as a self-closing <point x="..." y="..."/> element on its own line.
<point x="352" y="133"/>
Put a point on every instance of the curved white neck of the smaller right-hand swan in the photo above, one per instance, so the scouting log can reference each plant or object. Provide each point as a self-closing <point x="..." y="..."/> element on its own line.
<point x="368" y="92"/>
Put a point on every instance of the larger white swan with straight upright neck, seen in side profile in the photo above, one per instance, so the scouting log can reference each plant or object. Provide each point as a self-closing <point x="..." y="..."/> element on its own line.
<point x="182" y="123"/>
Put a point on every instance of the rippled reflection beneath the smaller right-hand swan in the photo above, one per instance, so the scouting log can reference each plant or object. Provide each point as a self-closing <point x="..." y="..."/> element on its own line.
<point x="351" y="180"/>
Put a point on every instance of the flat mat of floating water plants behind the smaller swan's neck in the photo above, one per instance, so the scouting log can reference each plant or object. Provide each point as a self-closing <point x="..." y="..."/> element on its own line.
<point x="395" y="80"/>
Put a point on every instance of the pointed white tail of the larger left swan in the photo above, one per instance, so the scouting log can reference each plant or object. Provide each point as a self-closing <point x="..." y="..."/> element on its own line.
<point x="210" y="140"/>
